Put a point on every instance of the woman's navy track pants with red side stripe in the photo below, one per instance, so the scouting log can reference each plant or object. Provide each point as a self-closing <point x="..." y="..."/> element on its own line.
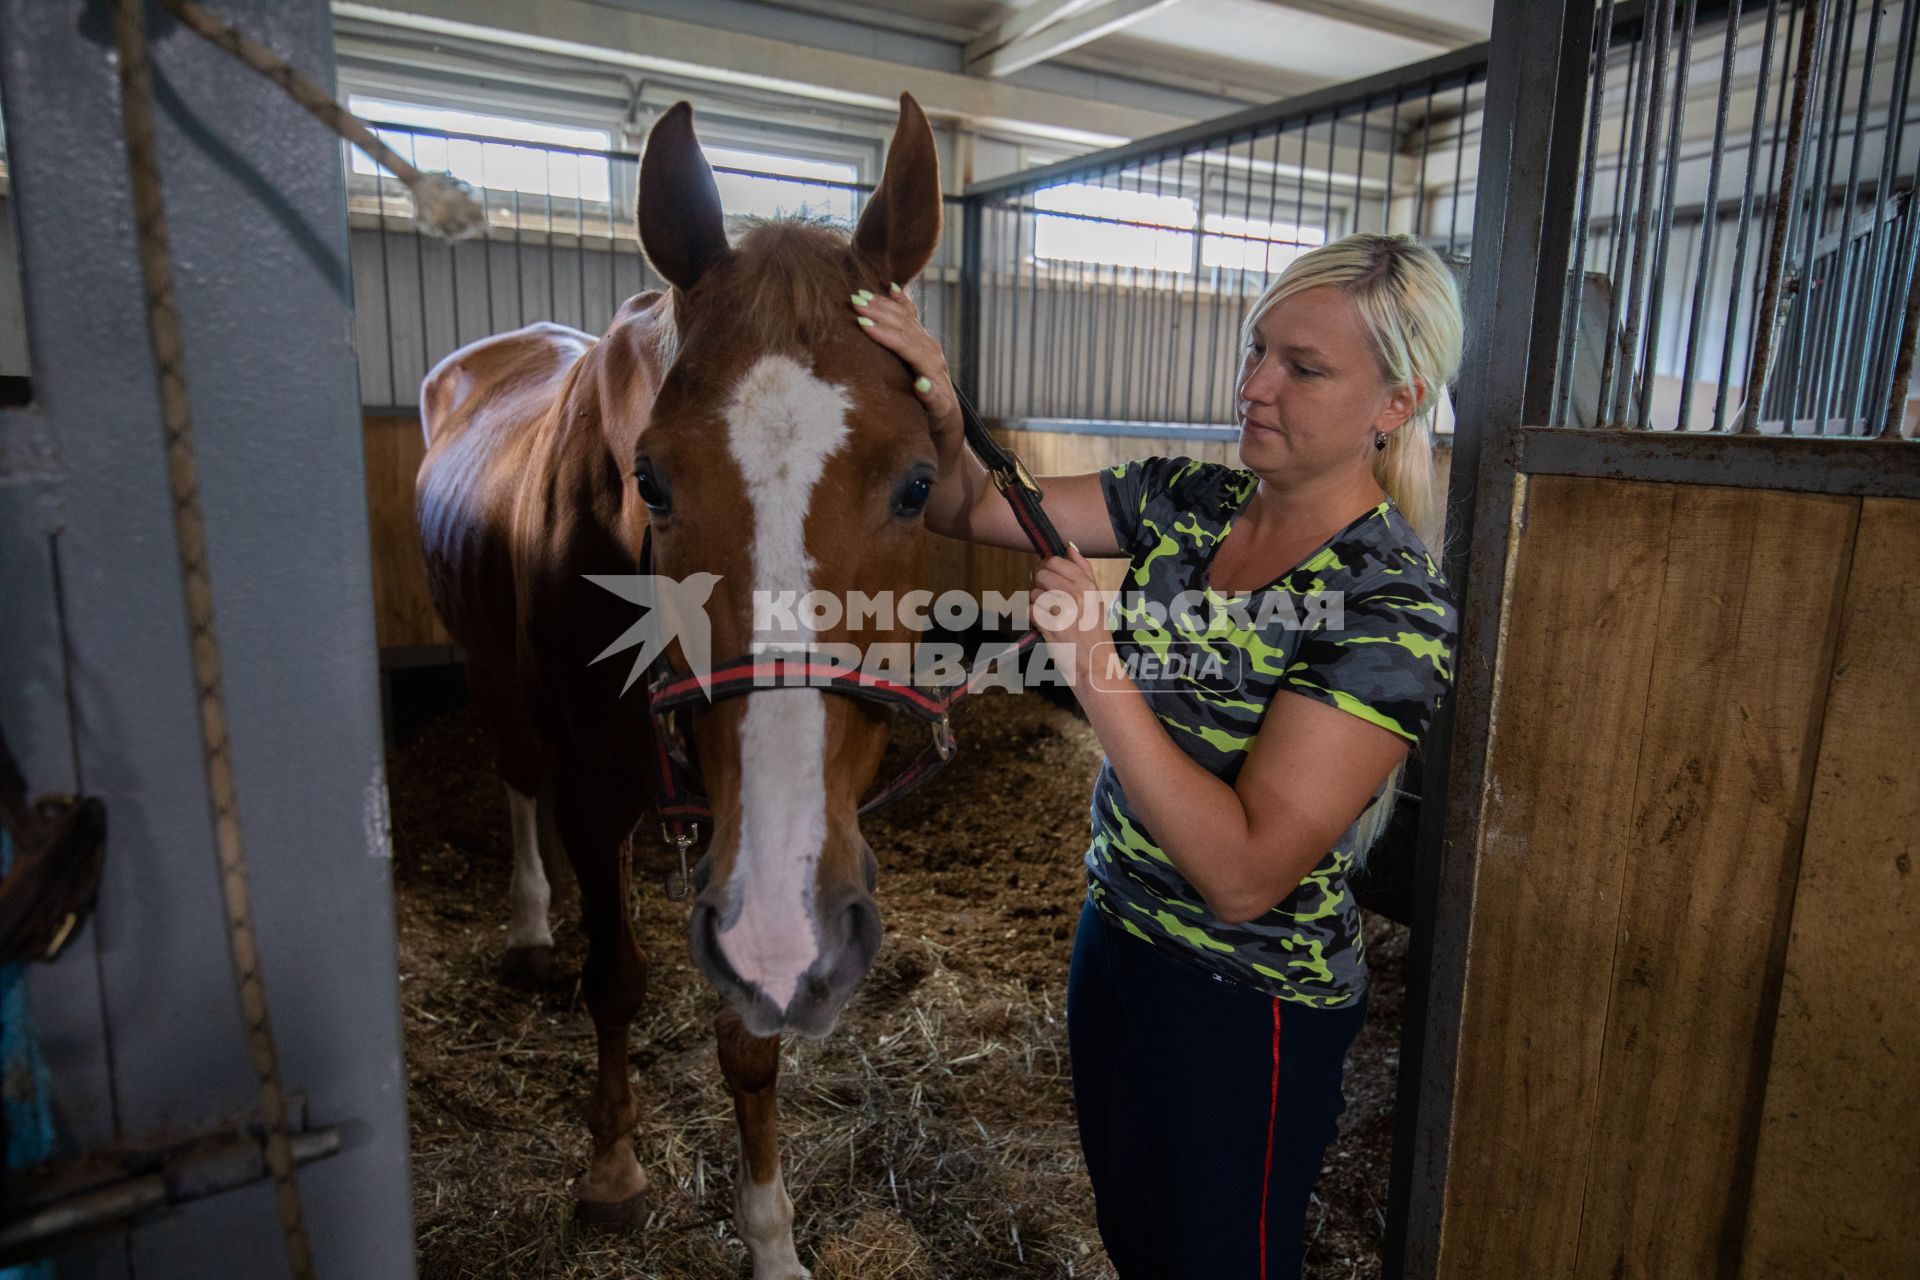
<point x="1205" y="1110"/>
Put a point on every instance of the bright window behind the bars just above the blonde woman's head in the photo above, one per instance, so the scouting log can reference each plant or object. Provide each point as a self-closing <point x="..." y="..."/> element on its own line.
<point x="1084" y="224"/>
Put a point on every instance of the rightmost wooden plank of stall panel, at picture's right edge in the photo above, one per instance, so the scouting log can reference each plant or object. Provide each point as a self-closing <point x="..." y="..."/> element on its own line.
<point x="1840" y="1131"/>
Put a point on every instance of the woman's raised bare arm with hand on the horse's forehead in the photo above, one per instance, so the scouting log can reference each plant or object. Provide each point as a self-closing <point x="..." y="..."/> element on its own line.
<point x="965" y="502"/>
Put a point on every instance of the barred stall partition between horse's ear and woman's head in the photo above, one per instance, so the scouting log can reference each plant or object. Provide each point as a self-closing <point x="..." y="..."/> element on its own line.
<point x="1111" y="287"/>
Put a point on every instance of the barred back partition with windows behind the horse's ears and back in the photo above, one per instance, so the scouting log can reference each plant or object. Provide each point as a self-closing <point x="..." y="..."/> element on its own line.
<point x="562" y="245"/>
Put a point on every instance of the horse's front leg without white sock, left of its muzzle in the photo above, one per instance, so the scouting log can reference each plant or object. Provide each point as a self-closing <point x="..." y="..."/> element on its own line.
<point x="615" y="984"/>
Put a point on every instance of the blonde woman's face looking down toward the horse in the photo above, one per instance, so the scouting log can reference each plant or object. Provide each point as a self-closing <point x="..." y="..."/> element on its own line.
<point x="1310" y="389"/>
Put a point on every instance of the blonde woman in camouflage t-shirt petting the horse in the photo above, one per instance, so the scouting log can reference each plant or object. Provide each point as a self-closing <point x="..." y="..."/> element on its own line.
<point x="1218" y="972"/>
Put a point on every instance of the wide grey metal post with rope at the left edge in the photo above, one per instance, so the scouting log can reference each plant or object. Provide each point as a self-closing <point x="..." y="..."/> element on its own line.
<point x="139" y="1018"/>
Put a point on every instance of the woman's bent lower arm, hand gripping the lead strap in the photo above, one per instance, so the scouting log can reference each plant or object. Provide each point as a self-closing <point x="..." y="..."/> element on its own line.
<point x="1243" y="847"/>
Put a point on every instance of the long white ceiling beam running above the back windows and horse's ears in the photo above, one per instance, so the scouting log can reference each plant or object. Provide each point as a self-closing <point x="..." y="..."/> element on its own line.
<point x="690" y="51"/>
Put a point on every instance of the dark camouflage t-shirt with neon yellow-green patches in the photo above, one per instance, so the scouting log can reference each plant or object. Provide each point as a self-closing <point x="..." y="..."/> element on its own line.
<point x="1366" y="625"/>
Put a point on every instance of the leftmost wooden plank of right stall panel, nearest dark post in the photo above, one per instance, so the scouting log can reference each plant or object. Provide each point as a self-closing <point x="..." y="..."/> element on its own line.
<point x="1556" y="818"/>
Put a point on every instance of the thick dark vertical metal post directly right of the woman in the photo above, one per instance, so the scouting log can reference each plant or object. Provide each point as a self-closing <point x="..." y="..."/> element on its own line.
<point x="1529" y="158"/>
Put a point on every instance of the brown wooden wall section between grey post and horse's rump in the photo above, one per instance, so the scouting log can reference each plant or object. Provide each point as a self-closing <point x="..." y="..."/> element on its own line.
<point x="404" y="613"/>
